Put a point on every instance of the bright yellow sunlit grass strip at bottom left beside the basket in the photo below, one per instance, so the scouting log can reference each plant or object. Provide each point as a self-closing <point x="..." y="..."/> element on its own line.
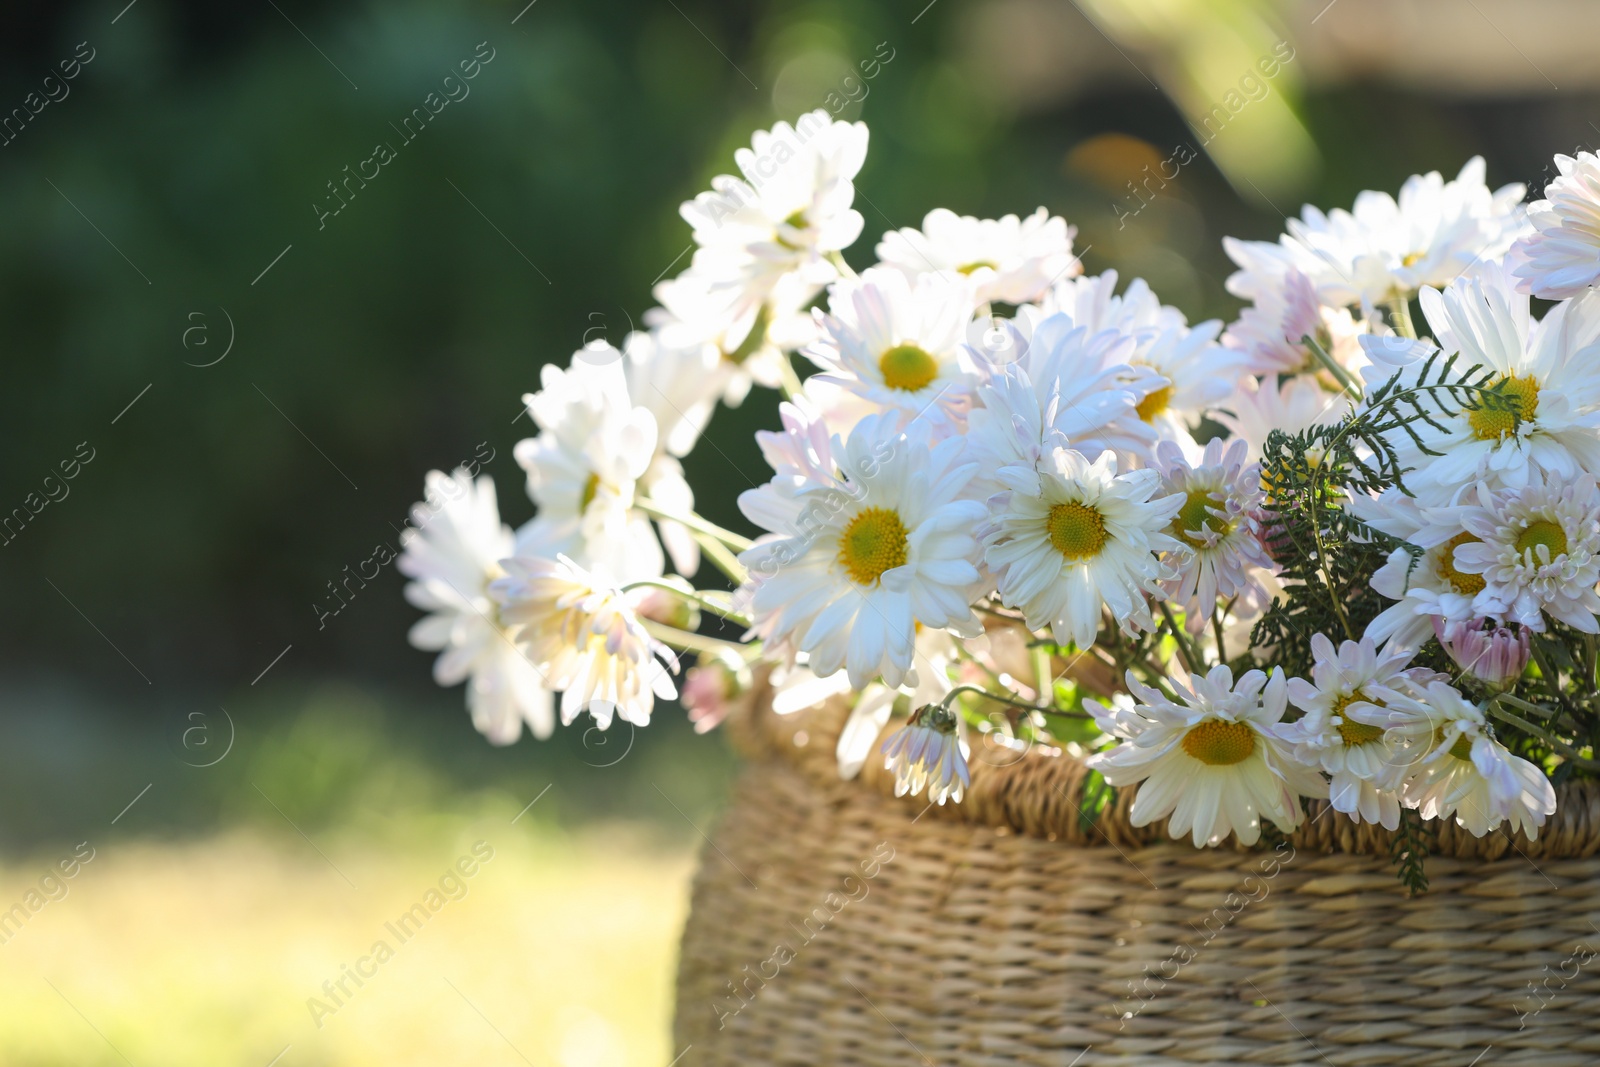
<point x="204" y="953"/>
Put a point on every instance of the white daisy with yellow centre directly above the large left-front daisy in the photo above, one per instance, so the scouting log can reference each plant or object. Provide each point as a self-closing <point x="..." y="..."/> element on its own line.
<point x="900" y="343"/>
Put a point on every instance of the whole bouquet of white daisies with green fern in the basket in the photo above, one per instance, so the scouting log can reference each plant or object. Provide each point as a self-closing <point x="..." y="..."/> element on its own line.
<point x="1316" y="554"/>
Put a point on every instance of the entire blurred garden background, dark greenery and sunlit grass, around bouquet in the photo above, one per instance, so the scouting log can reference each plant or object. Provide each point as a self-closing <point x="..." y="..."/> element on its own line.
<point x="166" y="206"/>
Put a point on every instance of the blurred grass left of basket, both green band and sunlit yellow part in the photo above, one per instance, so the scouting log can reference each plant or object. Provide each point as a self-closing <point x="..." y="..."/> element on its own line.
<point x="218" y="905"/>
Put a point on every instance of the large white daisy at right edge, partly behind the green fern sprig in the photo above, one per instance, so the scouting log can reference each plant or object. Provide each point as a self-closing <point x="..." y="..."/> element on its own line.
<point x="1546" y="366"/>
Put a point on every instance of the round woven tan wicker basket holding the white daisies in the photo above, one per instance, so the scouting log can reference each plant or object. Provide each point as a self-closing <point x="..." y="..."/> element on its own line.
<point x="836" y="925"/>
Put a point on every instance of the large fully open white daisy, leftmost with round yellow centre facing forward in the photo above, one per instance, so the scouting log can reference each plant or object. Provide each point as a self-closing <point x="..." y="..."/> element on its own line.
<point x="865" y="556"/>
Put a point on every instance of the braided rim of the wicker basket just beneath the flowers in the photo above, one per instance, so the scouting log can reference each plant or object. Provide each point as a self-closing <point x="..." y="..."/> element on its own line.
<point x="1038" y="794"/>
